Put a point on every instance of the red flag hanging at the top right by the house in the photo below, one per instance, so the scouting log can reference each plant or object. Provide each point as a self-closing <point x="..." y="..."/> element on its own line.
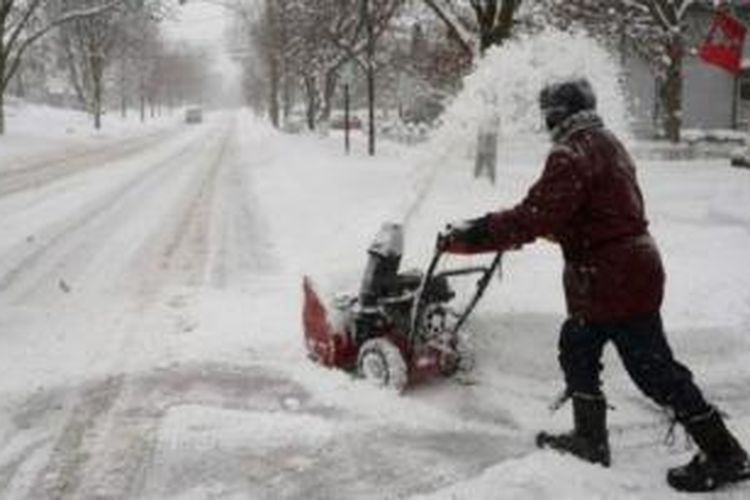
<point x="723" y="45"/>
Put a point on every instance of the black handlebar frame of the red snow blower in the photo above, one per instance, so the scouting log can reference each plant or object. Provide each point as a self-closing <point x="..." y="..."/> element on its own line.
<point x="431" y="274"/>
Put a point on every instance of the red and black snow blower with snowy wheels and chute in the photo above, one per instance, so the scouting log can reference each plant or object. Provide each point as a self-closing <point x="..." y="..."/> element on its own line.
<point x="402" y="327"/>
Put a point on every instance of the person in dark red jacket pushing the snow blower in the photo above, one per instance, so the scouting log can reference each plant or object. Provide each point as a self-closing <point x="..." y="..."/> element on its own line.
<point x="589" y="201"/>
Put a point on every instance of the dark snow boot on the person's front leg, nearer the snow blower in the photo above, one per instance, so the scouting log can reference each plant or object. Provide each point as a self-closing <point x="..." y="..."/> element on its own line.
<point x="588" y="440"/>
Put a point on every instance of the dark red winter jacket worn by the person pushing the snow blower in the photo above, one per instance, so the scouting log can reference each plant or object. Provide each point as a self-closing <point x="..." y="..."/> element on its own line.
<point x="588" y="200"/>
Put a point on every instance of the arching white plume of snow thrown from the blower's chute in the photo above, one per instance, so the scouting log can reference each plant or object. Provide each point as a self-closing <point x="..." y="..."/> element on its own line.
<point x="504" y="89"/>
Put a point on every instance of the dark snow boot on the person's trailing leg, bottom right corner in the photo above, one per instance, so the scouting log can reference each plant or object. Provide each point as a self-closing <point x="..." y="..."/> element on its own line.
<point x="721" y="460"/>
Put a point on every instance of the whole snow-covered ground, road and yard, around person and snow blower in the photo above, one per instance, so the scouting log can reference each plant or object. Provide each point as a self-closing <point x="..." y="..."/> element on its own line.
<point x="150" y="341"/>
